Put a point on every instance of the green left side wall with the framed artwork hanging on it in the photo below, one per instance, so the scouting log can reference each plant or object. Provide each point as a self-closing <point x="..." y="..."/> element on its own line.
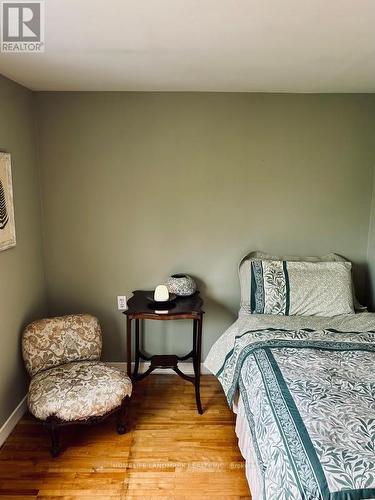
<point x="22" y="295"/>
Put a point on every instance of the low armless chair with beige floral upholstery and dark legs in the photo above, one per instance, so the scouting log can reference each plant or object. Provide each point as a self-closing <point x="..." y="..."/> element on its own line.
<point x="68" y="382"/>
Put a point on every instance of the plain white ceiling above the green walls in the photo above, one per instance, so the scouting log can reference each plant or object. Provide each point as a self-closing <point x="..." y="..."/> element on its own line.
<point x="203" y="45"/>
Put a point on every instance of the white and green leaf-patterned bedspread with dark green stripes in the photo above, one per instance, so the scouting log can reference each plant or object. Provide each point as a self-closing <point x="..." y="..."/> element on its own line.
<point x="309" y="398"/>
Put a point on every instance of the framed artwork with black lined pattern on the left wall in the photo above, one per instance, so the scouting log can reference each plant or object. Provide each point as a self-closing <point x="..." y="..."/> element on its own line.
<point x="7" y="224"/>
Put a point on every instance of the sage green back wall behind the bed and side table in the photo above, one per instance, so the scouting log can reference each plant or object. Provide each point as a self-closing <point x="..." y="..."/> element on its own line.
<point x="139" y="185"/>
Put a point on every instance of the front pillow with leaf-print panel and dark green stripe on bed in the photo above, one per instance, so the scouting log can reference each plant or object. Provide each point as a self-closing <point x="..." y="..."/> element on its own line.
<point x="300" y="288"/>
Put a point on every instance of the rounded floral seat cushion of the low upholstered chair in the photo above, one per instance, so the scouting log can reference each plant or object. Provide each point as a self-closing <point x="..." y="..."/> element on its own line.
<point x="77" y="391"/>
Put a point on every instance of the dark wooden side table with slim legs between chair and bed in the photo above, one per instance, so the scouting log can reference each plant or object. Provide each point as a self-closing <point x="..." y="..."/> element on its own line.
<point x="139" y="307"/>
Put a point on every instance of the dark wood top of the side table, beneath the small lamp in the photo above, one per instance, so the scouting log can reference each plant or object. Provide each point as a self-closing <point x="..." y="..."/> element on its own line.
<point x="139" y="305"/>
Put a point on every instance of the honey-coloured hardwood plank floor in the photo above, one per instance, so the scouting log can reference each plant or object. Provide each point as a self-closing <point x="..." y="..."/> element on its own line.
<point x="169" y="451"/>
